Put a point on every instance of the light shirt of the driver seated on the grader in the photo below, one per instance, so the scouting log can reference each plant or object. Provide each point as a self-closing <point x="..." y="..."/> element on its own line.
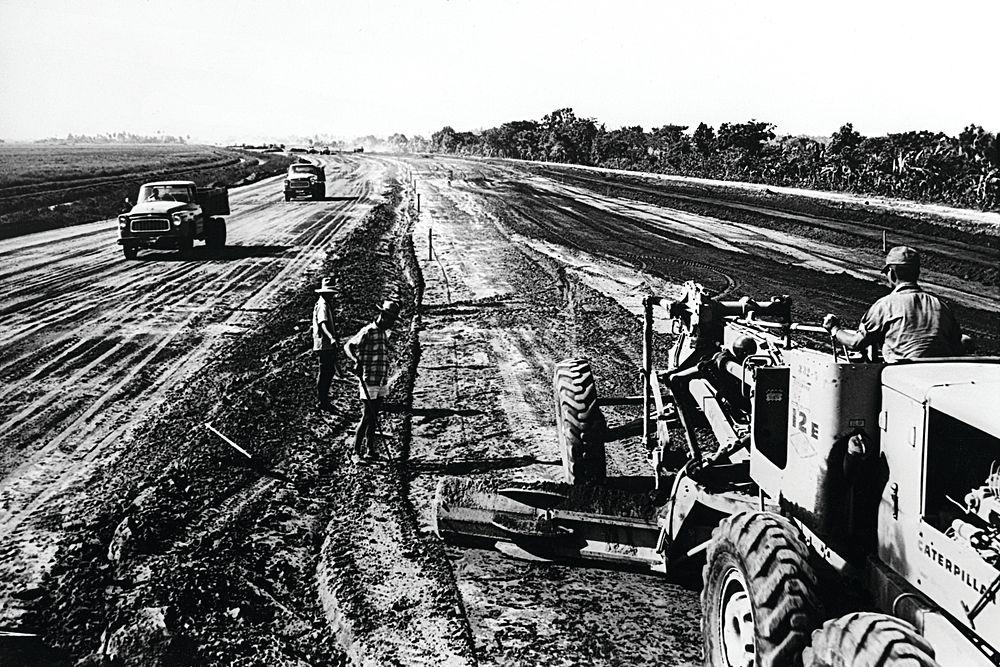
<point x="911" y="324"/>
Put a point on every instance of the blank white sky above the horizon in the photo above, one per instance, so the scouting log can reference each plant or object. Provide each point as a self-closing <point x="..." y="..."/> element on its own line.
<point x="247" y="69"/>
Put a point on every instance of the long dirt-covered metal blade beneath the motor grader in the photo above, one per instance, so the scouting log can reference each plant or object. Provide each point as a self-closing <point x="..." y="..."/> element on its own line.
<point x="549" y="521"/>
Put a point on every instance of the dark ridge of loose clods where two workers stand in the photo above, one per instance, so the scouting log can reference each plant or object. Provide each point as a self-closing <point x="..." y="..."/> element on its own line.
<point x="188" y="553"/>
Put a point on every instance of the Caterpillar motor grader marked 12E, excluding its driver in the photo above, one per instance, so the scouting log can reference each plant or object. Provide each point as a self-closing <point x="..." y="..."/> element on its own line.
<point x="809" y="485"/>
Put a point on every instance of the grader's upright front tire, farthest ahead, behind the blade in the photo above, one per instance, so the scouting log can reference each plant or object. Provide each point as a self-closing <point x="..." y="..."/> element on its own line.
<point x="579" y="422"/>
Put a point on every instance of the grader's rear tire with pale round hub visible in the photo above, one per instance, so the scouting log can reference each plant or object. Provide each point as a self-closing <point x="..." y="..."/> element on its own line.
<point x="759" y="602"/>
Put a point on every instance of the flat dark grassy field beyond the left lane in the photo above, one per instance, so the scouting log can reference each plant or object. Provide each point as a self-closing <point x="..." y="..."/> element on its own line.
<point x="45" y="186"/>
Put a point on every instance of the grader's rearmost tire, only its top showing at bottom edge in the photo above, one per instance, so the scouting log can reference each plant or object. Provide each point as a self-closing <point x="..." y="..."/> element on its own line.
<point x="868" y="640"/>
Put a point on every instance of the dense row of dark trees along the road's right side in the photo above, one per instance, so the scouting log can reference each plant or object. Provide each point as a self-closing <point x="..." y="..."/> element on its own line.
<point x="919" y="165"/>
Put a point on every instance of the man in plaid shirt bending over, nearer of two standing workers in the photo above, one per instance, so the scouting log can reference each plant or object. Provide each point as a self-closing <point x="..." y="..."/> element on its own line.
<point x="369" y="350"/>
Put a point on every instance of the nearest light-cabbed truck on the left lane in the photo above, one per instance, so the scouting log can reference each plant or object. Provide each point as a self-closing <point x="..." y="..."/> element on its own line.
<point x="173" y="214"/>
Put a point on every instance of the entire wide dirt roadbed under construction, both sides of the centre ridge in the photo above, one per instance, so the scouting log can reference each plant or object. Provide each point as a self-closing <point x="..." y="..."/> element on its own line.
<point x="510" y="270"/>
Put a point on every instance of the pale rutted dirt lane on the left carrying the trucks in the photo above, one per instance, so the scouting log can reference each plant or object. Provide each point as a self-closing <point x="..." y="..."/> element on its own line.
<point x="90" y="342"/>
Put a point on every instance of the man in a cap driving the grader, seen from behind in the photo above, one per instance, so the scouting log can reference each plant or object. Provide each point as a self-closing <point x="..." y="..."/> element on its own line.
<point x="908" y="322"/>
